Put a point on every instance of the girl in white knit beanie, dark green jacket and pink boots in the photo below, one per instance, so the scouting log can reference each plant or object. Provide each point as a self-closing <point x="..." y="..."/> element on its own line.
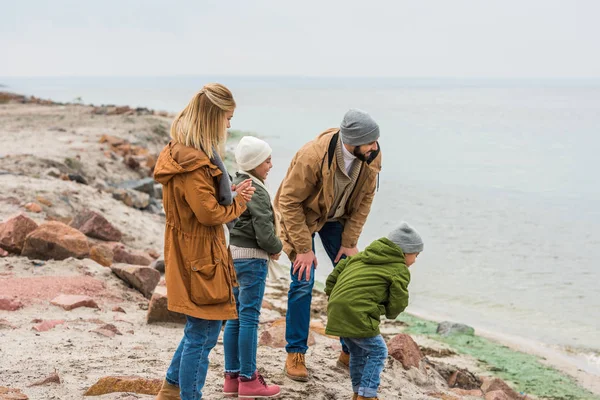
<point x="254" y="242"/>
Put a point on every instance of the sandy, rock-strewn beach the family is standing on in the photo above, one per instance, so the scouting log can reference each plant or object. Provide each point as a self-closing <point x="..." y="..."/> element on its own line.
<point x="57" y="161"/>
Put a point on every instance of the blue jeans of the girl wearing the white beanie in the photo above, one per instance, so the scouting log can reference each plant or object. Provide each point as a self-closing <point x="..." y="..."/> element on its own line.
<point x="241" y="335"/>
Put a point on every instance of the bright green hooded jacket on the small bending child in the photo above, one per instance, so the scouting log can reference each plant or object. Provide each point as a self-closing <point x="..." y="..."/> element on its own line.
<point x="365" y="286"/>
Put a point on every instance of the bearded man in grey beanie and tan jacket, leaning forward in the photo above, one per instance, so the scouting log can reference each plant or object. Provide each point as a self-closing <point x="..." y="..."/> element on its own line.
<point x="328" y="190"/>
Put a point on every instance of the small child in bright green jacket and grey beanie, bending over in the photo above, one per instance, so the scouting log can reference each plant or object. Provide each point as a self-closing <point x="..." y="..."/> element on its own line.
<point x="363" y="287"/>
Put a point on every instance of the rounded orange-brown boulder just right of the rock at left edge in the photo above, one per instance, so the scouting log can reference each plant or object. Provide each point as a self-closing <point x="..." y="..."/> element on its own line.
<point x="55" y="240"/>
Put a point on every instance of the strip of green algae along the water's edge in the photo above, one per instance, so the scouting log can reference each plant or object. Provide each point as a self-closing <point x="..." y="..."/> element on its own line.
<point x="529" y="375"/>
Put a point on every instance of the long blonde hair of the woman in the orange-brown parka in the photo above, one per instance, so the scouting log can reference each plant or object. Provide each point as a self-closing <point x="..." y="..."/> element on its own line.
<point x="201" y="124"/>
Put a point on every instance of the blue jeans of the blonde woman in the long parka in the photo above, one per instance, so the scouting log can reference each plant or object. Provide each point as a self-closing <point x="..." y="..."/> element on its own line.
<point x="190" y="363"/>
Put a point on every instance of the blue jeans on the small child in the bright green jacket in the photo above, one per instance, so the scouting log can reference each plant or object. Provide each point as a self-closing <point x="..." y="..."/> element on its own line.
<point x="367" y="359"/>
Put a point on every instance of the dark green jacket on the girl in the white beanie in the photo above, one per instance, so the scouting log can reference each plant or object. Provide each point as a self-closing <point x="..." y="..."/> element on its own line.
<point x="255" y="228"/>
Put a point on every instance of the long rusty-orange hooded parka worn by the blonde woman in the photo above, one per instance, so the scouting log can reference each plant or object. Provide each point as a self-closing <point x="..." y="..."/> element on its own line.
<point x="198" y="266"/>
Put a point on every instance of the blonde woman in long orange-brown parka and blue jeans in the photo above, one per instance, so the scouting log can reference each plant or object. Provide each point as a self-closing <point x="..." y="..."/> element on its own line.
<point x="198" y="202"/>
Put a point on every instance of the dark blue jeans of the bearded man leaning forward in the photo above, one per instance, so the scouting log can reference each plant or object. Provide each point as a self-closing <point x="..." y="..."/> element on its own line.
<point x="300" y="294"/>
